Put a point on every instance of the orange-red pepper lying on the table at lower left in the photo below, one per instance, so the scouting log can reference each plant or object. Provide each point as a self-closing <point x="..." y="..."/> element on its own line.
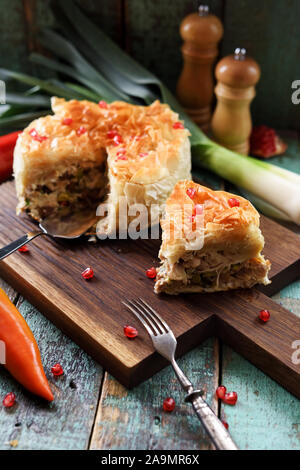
<point x="23" y="359"/>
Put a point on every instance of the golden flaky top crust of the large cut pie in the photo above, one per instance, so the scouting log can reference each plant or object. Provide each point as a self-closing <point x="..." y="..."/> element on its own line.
<point x="147" y="148"/>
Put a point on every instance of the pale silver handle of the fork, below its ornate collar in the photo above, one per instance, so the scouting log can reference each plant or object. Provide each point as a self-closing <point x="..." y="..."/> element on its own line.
<point x="211" y="423"/>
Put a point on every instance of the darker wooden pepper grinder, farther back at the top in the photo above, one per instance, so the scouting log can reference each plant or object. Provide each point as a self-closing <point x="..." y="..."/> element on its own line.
<point x="201" y="33"/>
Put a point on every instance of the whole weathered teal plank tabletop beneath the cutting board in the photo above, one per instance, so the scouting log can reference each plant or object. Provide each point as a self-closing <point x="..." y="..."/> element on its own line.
<point x="93" y="411"/>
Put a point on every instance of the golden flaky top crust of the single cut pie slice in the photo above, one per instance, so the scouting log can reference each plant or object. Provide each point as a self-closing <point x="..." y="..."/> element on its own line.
<point x="221" y="223"/>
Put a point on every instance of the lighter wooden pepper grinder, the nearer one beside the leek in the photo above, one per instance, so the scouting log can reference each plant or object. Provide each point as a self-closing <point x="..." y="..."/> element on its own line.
<point x="237" y="76"/>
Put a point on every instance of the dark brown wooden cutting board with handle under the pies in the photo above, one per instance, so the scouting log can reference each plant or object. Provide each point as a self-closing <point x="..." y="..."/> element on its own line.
<point x="91" y="313"/>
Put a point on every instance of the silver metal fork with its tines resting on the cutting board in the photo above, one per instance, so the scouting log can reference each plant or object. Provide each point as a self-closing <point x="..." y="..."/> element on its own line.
<point x="165" y="343"/>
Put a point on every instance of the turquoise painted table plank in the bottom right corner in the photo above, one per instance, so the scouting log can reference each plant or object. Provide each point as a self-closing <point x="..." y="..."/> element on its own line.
<point x="265" y="417"/>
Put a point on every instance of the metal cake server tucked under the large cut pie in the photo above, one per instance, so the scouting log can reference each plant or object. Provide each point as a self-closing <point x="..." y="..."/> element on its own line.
<point x="67" y="228"/>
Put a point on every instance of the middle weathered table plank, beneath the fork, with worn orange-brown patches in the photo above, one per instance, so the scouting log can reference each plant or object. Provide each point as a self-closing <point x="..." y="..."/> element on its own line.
<point x="135" y="419"/>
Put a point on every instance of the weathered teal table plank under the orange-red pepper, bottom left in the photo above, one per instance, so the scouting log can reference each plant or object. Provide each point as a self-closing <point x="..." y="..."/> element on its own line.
<point x="67" y="422"/>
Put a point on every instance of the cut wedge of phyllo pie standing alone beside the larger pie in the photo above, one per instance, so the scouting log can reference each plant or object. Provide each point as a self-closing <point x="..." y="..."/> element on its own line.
<point x="225" y="252"/>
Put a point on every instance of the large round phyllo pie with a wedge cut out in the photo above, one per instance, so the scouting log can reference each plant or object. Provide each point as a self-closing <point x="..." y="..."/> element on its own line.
<point x="86" y="153"/>
